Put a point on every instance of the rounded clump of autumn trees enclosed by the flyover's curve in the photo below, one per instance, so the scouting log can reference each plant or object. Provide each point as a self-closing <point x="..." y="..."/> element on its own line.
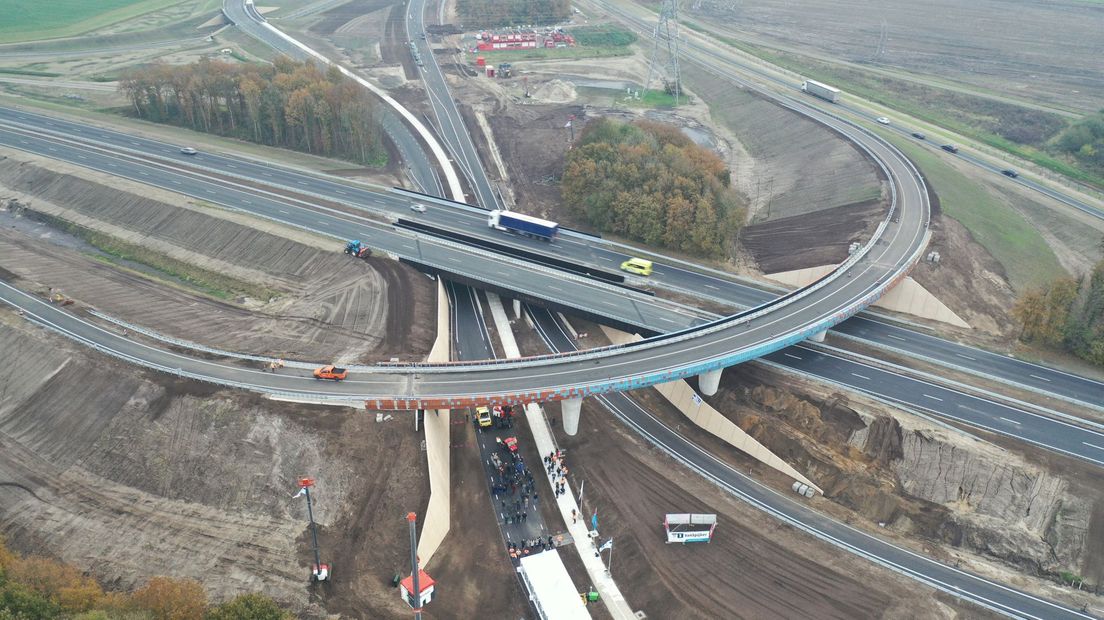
<point x="650" y="183"/>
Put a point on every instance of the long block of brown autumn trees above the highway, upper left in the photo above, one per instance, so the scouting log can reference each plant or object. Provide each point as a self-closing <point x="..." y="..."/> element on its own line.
<point x="286" y="104"/>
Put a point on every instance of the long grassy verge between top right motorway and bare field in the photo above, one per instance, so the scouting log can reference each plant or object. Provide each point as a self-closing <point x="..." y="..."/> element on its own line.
<point x="974" y="117"/>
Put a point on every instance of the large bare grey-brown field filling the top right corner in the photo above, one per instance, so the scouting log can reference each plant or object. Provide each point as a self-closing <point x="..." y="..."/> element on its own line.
<point x="1042" y="52"/>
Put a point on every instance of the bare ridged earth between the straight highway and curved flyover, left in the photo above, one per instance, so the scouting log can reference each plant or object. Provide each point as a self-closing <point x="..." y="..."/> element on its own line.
<point x="327" y="306"/>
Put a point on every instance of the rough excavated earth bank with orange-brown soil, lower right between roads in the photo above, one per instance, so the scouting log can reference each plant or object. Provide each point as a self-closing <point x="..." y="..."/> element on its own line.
<point x="920" y="480"/>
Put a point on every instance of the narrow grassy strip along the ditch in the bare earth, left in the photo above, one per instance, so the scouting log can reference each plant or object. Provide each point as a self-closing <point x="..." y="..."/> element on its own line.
<point x="120" y="253"/>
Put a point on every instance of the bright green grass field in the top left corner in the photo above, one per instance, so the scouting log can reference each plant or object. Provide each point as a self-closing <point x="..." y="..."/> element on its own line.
<point x="31" y="20"/>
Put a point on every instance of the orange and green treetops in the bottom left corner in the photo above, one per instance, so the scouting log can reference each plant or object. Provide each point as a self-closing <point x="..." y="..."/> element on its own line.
<point x="35" y="587"/>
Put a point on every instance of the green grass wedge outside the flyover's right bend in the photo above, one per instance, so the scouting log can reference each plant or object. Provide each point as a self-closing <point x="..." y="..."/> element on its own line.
<point x="1009" y="237"/>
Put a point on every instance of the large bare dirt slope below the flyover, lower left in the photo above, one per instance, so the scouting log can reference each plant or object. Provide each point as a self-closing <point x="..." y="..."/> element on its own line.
<point x="132" y="475"/>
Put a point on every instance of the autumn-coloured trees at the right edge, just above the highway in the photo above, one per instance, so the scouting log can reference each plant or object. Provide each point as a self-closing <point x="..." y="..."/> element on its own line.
<point x="1067" y="315"/>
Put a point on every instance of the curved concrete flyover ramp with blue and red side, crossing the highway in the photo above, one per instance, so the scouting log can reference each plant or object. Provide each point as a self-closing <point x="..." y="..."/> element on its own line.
<point x="705" y="350"/>
